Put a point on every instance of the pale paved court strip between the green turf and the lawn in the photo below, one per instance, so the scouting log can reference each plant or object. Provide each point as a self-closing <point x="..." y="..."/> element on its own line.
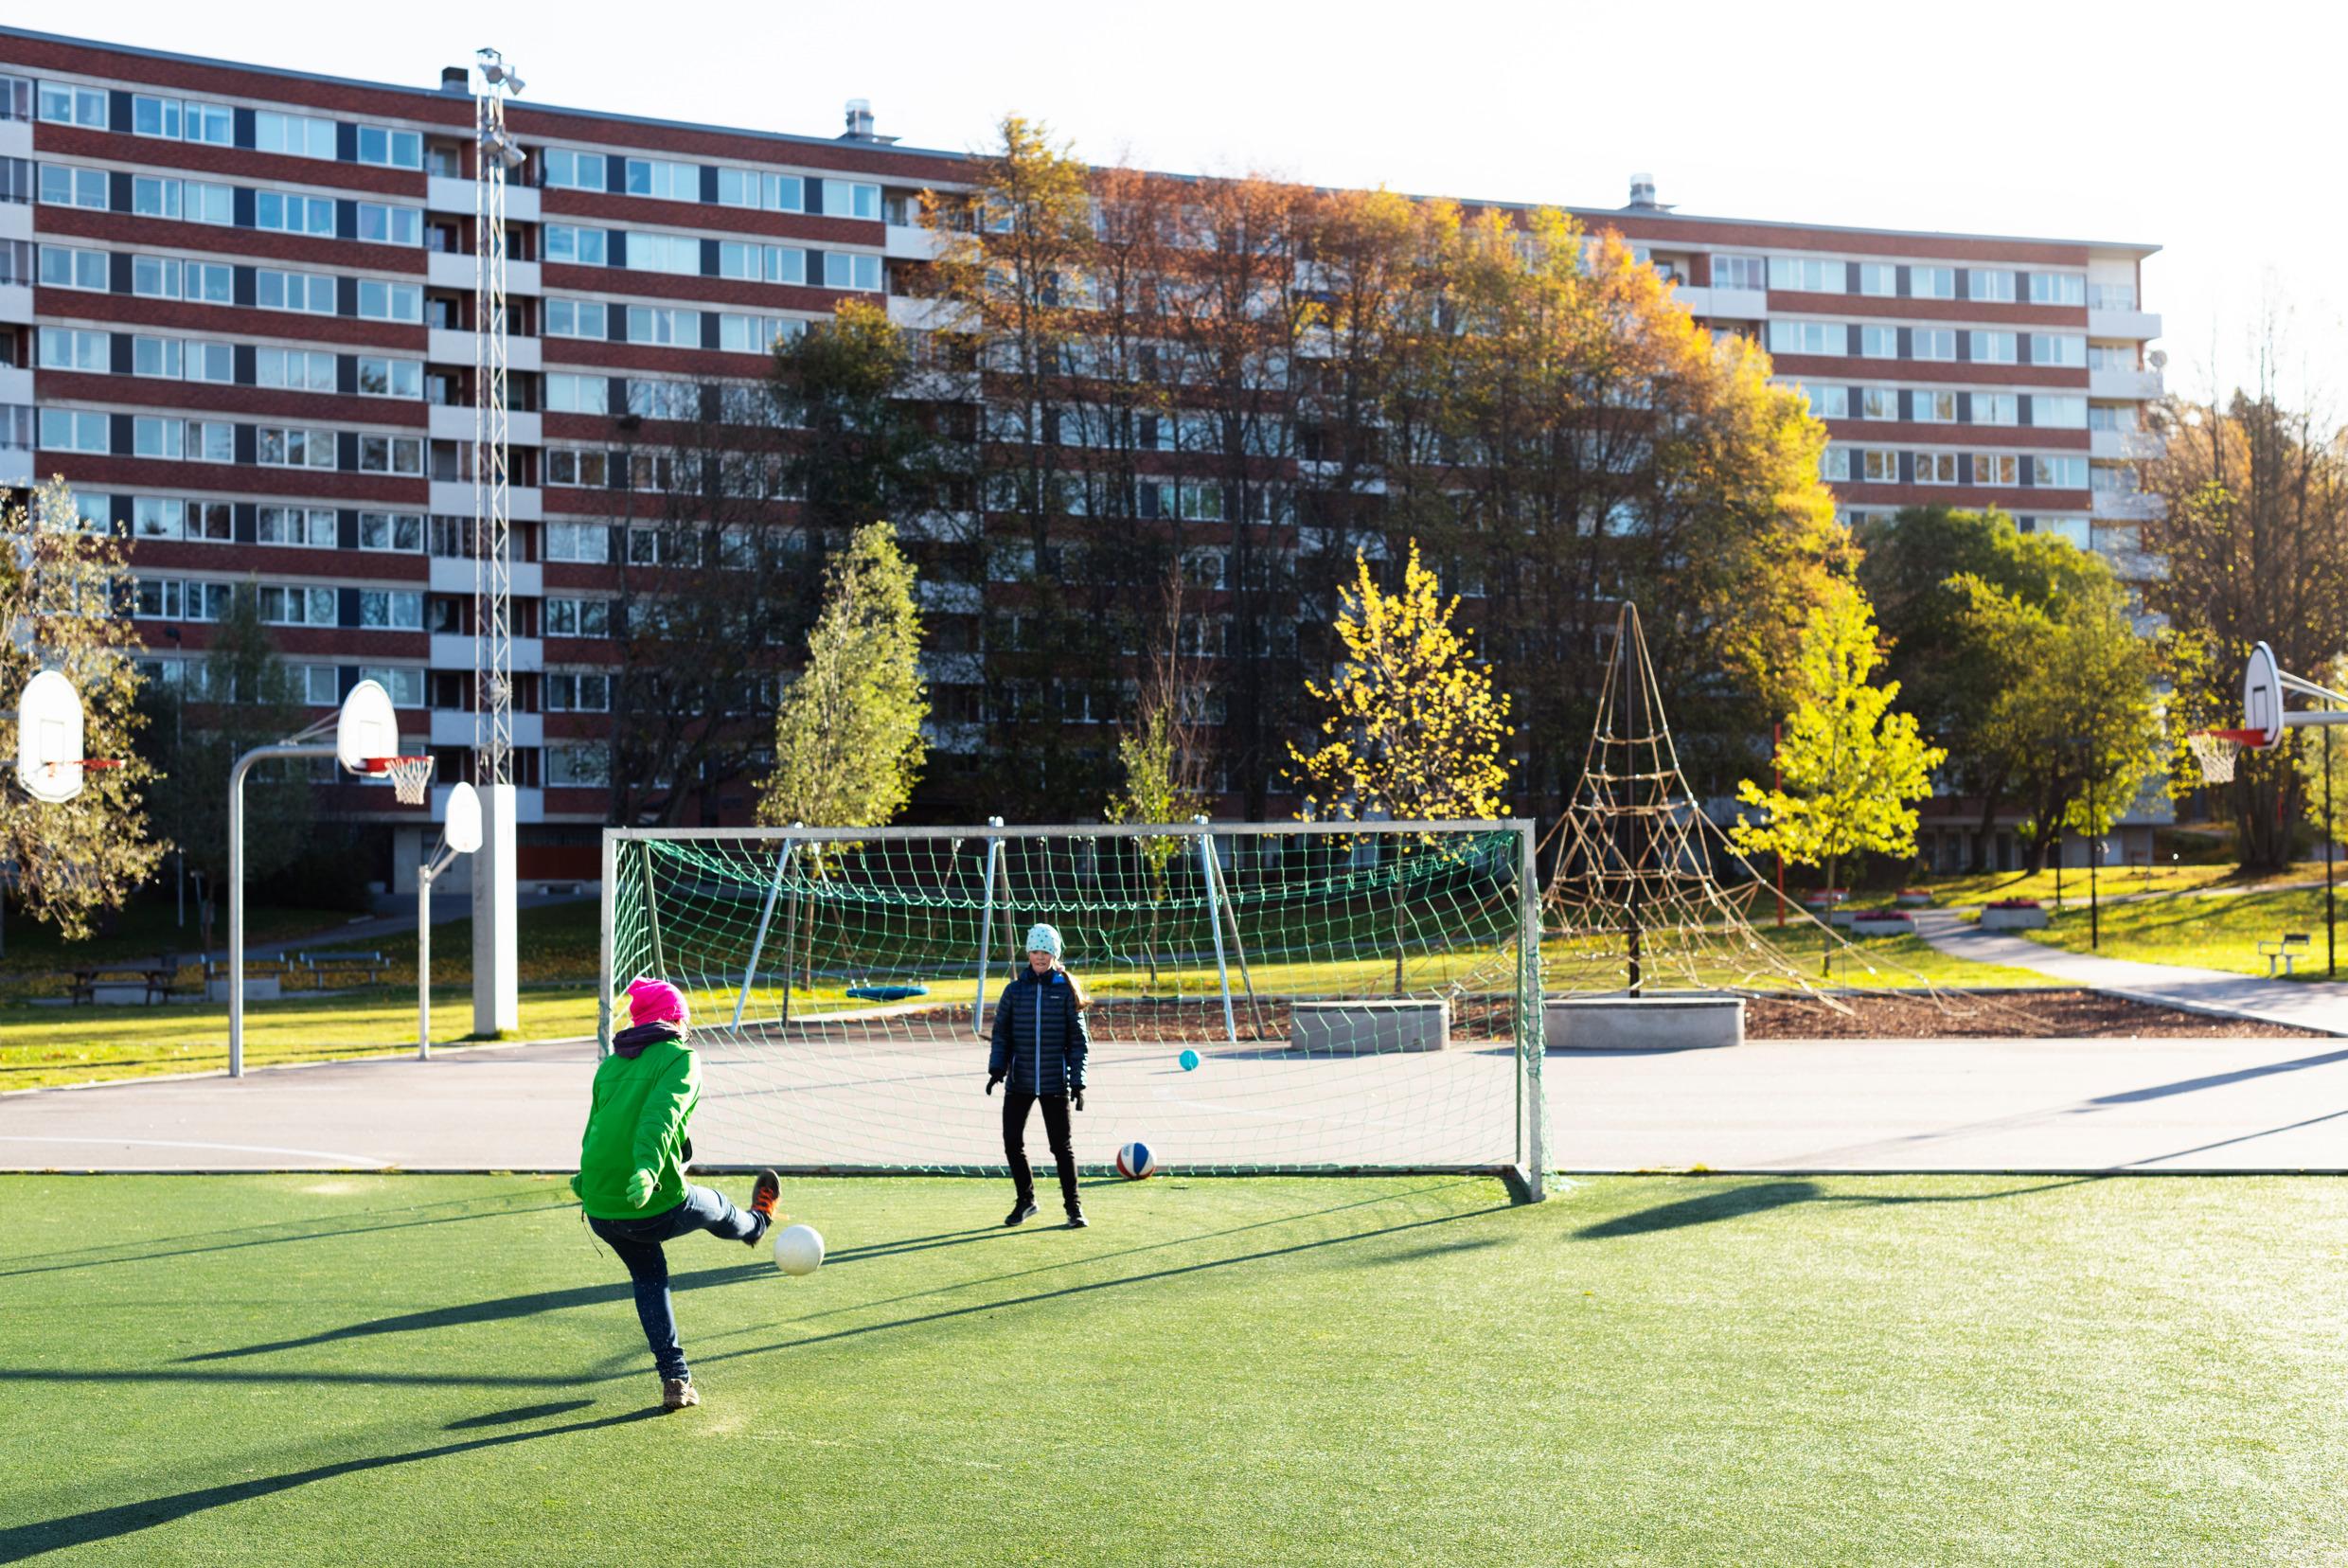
<point x="1765" y="1107"/>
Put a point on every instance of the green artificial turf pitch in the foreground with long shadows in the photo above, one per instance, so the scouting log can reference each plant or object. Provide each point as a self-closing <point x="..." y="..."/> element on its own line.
<point x="337" y="1370"/>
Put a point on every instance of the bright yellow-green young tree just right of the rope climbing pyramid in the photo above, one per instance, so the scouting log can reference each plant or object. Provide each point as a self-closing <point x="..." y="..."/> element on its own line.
<point x="1851" y="766"/>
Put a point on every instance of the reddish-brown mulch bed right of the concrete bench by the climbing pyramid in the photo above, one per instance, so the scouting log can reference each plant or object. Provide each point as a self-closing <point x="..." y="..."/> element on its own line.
<point x="2013" y="1015"/>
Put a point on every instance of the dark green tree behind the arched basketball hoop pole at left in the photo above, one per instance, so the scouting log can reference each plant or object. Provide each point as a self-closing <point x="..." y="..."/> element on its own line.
<point x="238" y="698"/>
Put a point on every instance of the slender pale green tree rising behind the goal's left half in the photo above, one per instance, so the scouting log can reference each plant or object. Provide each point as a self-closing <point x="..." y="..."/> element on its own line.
<point x="849" y="734"/>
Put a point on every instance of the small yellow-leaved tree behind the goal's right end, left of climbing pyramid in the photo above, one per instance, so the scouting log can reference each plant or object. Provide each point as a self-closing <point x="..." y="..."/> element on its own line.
<point x="1412" y="726"/>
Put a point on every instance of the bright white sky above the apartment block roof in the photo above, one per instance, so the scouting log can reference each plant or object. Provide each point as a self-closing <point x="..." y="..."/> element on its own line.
<point x="2211" y="133"/>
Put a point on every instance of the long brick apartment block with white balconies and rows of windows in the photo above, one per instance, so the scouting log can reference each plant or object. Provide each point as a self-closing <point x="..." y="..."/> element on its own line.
<point x="236" y="313"/>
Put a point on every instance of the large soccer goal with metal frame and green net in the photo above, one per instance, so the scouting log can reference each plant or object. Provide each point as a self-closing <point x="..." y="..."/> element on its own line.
<point x="1262" y="999"/>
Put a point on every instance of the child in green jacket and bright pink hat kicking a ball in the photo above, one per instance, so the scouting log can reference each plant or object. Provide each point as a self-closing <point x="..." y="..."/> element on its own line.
<point x="633" y="1168"/>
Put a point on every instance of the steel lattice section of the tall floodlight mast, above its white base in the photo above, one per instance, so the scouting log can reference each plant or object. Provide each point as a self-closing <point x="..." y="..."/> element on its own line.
<point x="492" y="543"/>
